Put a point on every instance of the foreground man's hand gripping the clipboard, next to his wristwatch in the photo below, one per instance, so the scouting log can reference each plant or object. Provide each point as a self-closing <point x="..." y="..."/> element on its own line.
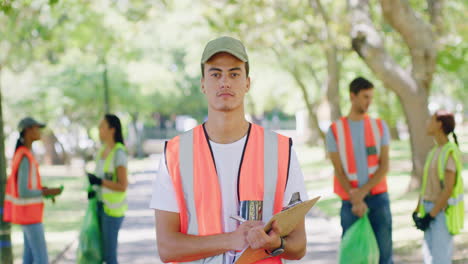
<point x="257" y="237"/>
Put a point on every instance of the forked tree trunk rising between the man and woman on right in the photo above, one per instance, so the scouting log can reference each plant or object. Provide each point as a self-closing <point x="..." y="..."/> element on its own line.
<point x="411" y="86"/>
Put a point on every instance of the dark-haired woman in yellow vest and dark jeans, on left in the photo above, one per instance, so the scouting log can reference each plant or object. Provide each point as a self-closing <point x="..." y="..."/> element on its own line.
<point x="111" y="181"/>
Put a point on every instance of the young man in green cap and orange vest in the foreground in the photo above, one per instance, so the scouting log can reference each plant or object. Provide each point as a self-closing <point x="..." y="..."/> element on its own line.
<point x="213" y="171"/>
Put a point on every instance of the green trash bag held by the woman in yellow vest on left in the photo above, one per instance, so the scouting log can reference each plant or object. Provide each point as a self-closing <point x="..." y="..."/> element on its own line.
<point x="90" y="246"/>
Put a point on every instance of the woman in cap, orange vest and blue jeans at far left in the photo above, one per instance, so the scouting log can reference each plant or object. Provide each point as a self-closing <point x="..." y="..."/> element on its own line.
<point x="24" y="192"/>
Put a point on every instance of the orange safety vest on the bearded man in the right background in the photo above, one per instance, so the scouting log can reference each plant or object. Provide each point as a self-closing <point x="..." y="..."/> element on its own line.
<point x="373" y="132"/>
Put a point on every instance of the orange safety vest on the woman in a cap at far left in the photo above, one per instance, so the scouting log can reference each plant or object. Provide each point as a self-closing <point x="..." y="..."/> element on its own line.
<point x="18" y="210"/>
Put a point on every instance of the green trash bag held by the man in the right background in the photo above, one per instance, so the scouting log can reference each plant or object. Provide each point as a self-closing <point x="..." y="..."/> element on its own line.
<point x="358" y="245"/>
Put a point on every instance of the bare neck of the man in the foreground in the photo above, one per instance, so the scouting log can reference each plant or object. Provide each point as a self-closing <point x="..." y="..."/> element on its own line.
<point x="226" y="127"/>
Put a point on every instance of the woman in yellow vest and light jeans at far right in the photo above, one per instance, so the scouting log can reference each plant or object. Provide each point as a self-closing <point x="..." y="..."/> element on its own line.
<point x="440" y="210"/>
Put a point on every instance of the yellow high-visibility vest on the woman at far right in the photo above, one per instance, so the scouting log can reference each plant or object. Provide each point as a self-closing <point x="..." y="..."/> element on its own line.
<point x="455" y="211"/>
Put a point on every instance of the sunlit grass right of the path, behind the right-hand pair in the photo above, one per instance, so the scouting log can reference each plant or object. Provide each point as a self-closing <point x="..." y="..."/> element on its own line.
<point x="406" y="238"/>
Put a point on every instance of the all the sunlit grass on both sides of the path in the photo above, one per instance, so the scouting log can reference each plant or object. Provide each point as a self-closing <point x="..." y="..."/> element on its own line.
<point x="62" y="220"/>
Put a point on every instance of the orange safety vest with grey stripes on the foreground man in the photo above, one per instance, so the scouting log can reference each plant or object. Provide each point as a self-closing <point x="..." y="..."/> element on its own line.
<point x="262" y="176"/>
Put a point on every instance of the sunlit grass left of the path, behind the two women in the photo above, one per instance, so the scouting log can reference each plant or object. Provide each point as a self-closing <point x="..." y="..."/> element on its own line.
<point x="62" y="220"/>
